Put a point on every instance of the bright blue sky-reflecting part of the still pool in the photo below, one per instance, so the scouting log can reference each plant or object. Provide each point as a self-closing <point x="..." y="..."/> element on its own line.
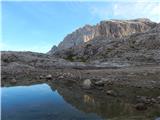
<point x="38" y="102"/>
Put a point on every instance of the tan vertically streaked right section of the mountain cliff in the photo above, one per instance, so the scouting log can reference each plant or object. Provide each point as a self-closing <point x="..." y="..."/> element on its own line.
<point x="121" y="28"/>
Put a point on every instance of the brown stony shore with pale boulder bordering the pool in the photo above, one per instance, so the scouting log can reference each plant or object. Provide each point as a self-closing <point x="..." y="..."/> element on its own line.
<point x="140" y="85"/>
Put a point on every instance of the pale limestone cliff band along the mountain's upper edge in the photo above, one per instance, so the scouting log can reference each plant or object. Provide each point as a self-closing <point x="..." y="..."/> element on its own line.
<point x="109" y="29"/>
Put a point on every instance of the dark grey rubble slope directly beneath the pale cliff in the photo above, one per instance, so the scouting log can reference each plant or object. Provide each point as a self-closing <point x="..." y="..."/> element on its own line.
<point x="138" y="48"/>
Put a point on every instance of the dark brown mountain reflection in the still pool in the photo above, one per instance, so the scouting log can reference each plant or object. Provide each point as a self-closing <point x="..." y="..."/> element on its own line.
<point x="106" y="106"/>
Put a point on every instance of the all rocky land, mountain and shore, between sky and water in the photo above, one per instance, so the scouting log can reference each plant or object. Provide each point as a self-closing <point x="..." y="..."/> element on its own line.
<point x="113" y="58"/>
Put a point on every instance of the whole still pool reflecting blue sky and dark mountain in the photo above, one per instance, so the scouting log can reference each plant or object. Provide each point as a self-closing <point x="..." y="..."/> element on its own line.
<point x="58" y="102"/>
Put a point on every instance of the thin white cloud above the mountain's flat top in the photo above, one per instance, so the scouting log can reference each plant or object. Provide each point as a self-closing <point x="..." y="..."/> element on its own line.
<point x="128" y="10"/>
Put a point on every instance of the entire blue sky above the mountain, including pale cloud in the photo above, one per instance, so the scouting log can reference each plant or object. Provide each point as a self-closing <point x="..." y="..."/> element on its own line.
<point x="37" y="26"/>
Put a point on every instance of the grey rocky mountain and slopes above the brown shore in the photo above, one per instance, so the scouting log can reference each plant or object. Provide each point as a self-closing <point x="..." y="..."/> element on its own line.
<point x="115" y="44"/>
